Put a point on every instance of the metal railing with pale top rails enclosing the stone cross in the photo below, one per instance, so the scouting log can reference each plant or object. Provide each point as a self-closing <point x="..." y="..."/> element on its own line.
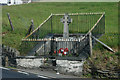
<point x="46" y="40"/>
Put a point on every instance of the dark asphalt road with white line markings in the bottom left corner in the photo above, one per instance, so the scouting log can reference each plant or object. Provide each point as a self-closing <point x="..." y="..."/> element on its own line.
<point x="14" y="74"/>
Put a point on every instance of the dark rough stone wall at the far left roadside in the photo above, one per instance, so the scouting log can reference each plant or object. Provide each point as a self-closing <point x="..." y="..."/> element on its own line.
<point x="8" y="55"/>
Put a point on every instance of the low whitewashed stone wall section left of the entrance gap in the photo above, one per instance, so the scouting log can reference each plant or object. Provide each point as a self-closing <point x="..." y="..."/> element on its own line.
<point x="30" y="63"/>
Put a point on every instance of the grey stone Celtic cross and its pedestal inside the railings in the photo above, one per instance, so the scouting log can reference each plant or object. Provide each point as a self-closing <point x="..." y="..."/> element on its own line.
<point x="65" y="41"/>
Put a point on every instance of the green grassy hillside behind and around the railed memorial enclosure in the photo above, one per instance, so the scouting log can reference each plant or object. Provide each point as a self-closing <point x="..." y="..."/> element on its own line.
<point x="21" y="16"/>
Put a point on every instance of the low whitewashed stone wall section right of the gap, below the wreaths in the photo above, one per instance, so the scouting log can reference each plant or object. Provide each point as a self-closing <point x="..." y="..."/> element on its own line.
<point x="70" y="67"/>
